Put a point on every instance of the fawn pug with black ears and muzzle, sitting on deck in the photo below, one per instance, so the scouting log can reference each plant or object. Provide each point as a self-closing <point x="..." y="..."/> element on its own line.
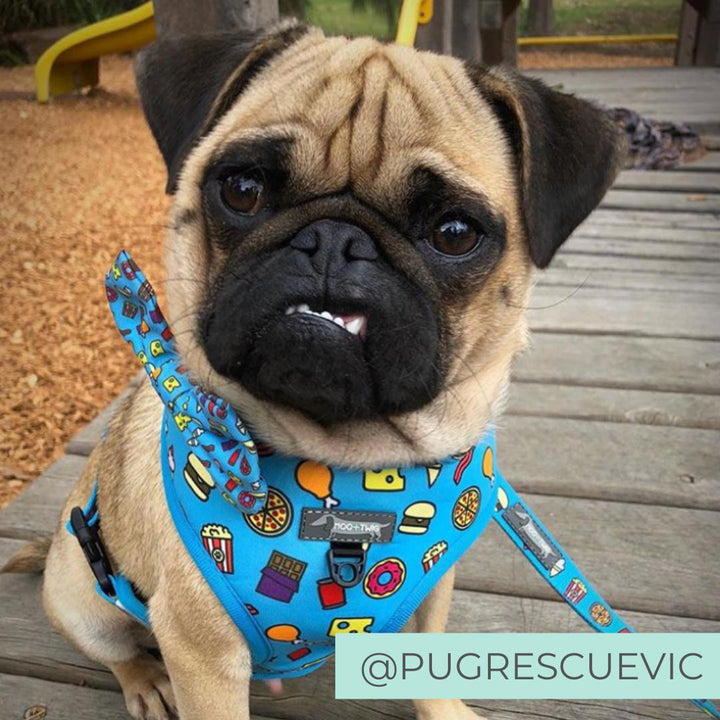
<point x="354" y="231"/>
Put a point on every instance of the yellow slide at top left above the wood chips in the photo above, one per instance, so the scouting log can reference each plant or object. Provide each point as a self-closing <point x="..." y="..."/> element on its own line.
<point x="72" y="62"/>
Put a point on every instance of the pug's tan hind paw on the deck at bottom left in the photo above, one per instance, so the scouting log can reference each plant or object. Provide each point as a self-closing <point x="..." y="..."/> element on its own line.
<point x="146" y="687"/>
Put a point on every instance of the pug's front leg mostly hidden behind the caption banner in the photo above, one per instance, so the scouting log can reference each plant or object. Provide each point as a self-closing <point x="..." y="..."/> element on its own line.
<point x="432" y="616"/>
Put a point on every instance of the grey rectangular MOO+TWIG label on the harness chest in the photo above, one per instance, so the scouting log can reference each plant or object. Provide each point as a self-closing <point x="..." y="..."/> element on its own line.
<point x="352" y="526"/>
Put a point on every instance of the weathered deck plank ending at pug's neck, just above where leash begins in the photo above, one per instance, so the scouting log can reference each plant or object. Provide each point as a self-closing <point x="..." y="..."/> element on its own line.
<point x="657" y="465"/>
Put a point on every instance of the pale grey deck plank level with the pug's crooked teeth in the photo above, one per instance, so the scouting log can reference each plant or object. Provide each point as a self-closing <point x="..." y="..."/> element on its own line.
<point x="616" y="311"/>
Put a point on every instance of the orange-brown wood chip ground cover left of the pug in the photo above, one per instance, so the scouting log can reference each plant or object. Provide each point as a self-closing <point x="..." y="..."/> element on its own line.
<point x="82" y="179"/>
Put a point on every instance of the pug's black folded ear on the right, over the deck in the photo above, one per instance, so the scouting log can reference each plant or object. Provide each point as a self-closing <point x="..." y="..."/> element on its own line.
<point x="567" y="152"/>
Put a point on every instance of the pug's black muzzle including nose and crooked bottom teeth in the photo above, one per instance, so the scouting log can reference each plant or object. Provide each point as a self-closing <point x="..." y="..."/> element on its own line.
<point x="326" y="325"/>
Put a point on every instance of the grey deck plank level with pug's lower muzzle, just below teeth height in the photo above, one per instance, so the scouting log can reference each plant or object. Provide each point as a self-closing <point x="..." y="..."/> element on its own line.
<point x="655" y="364"/>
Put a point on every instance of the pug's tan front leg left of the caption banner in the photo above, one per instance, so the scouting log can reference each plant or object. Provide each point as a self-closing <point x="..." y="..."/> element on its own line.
<point x="207" y="659"/>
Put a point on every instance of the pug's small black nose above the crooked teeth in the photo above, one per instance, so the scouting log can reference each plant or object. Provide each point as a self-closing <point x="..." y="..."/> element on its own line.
<point x="332" y="244"/>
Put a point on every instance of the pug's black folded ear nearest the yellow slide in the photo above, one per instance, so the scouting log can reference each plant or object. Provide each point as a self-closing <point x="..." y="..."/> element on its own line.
<point x="187" y="84"/>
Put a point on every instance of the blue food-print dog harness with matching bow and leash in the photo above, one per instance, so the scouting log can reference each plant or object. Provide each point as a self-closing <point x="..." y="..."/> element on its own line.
<point x="297" y="551"/>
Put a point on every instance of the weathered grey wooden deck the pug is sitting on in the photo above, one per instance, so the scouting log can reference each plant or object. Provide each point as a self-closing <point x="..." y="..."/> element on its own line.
<point x="612" y="433"/>
